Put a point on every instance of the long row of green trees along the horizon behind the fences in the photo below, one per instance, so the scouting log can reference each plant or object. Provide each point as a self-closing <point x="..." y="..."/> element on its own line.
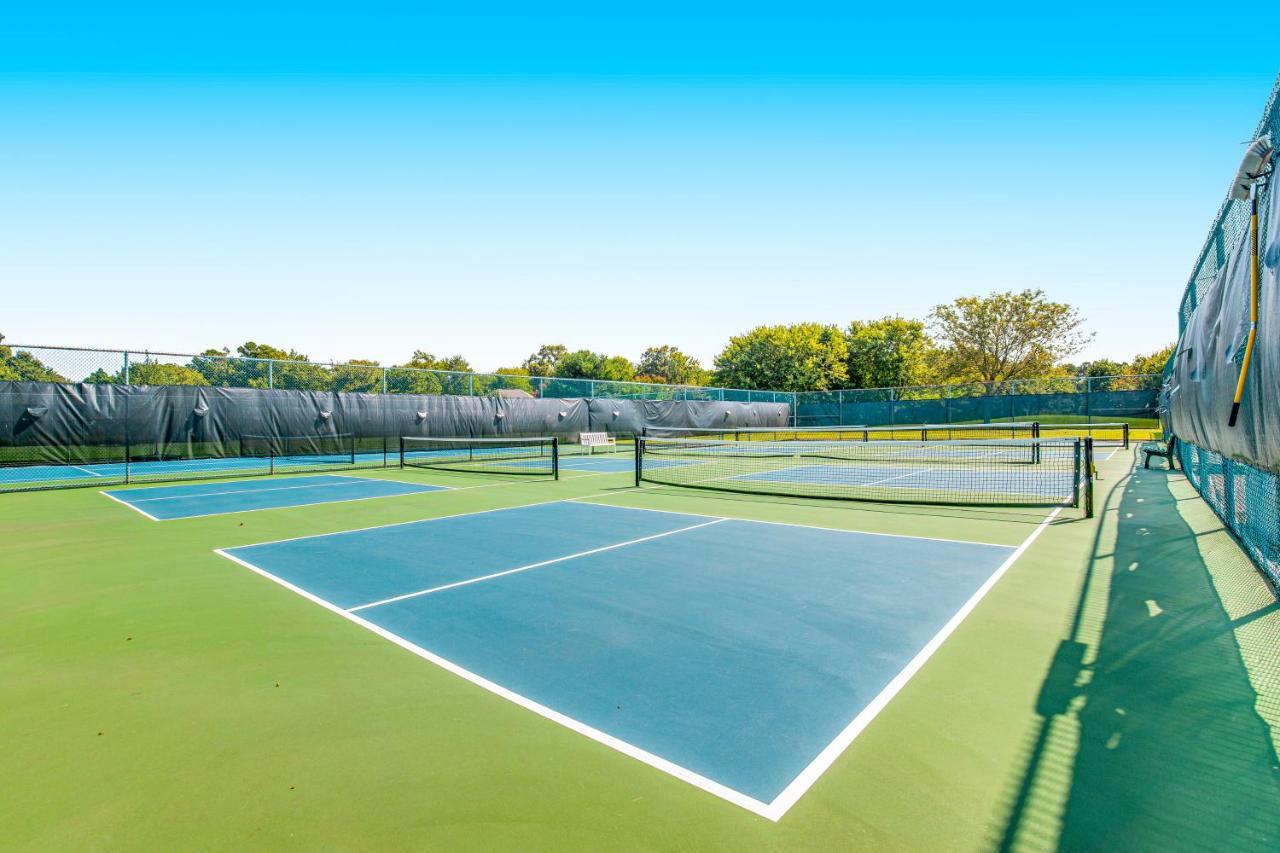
<point x="975" y="339"/>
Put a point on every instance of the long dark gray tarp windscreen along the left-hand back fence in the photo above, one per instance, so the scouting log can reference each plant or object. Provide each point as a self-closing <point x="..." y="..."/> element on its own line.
<point x="86" y="423"/>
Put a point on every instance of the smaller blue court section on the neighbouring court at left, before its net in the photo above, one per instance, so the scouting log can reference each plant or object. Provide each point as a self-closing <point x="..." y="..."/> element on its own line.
<point x="166" y="503"/>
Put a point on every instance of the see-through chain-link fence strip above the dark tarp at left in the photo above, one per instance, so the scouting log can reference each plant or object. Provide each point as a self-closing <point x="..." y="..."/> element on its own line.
<point x="148" y="368"/>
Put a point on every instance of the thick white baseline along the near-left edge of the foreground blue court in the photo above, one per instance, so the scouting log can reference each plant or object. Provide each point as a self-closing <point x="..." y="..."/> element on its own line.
<point x="555" y="717"/>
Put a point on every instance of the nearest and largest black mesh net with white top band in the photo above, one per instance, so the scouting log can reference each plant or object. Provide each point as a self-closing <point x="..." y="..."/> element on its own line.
<point x="970" y="473"/>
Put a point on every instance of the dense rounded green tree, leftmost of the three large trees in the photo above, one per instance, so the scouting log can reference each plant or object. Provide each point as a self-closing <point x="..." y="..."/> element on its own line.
<point x="804" y="357"/>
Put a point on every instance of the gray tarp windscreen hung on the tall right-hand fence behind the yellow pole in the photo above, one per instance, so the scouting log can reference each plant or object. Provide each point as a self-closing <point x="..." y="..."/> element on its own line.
<point x="1208" y="362"/>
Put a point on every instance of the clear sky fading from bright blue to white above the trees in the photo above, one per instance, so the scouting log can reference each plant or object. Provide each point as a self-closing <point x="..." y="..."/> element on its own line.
<point x="371" y="181"/>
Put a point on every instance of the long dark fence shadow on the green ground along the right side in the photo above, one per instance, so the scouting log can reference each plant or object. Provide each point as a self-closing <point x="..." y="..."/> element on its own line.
<point x="1149" y="735"/>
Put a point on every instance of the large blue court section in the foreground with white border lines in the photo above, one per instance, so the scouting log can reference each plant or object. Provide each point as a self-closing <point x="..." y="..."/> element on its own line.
<point x="730" y="654"/>
